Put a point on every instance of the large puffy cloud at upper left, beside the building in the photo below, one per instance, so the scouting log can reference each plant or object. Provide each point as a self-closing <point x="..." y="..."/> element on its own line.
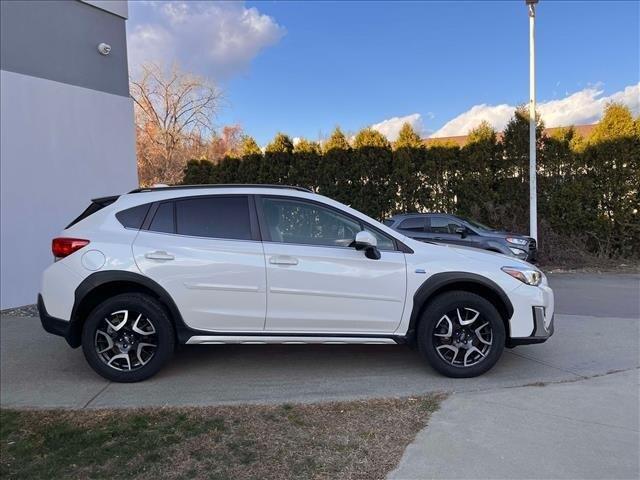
<point x="218" y="39"/>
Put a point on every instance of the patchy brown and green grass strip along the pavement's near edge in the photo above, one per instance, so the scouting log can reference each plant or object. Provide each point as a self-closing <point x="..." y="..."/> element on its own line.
<point x="346" y="440"/>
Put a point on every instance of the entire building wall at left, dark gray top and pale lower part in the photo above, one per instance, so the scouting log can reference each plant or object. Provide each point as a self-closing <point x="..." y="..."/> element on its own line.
<point x="66" y="133"/>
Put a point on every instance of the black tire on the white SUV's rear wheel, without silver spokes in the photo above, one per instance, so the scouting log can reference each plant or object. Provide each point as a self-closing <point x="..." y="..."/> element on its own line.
<point x="162" y="336"/>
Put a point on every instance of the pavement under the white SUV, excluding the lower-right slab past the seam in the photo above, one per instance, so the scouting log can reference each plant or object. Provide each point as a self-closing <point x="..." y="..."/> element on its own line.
<point x="40" y="370"/>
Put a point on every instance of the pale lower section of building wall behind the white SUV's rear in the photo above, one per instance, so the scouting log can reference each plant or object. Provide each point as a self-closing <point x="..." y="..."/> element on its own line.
<point x="60" y="146"/>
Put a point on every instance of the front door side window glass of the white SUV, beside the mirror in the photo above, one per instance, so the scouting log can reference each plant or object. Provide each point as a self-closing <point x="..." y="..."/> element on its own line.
<point x="306" y="223"/>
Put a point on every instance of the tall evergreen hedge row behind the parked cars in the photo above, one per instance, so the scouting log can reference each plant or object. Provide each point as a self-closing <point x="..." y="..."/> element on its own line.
<point x="588" y="189"/>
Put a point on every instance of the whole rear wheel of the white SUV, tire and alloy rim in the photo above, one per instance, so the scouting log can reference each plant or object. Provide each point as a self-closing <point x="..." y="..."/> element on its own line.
<point x="128" y="338"/>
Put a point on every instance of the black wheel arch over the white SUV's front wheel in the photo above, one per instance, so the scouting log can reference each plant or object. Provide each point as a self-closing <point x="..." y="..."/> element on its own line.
<point x="464" y="281"/>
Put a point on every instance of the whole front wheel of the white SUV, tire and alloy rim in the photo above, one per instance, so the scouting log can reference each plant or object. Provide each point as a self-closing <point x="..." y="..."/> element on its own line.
<point x="461" y="334"/>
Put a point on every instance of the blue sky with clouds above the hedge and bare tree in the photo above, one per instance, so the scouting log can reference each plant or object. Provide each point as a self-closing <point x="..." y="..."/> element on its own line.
<point x="304" y="67"/>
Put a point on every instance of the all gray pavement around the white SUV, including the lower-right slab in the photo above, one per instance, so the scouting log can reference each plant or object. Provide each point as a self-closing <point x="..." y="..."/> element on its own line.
<point x="567" y="408"/>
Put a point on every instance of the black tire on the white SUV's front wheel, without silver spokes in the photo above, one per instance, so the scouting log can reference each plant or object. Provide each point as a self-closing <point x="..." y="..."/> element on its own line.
<point x="434" y="313"/>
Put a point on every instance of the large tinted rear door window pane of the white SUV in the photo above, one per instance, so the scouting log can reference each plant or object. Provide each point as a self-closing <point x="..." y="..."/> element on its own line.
<point x="214" y="217"/>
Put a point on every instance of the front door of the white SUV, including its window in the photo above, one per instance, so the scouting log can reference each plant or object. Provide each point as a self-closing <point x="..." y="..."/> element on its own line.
<point x="317" y="282"/>
